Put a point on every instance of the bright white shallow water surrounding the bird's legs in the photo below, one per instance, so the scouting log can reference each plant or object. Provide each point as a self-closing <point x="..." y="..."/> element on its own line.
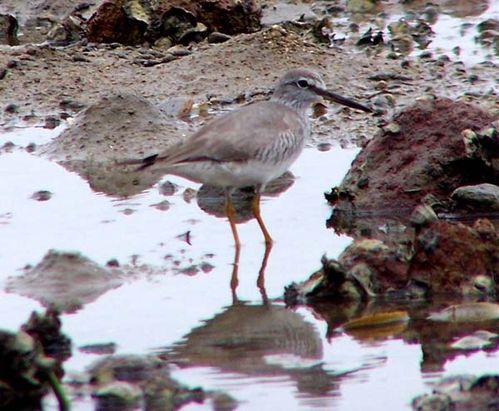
<point x="272" y="357"/>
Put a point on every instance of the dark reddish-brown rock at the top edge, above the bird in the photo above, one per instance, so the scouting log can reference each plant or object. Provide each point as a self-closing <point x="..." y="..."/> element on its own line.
<point x="133" y="21"/>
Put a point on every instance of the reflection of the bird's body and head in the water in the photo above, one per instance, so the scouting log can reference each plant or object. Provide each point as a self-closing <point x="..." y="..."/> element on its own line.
<point x="258" y="341"/>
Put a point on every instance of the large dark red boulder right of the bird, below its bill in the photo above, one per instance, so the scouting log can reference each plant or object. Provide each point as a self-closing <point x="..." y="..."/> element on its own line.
<point x="426" y="156"/>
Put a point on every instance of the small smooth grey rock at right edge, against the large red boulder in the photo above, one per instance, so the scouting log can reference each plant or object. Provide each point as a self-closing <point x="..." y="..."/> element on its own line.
<point x="481" y="196"/>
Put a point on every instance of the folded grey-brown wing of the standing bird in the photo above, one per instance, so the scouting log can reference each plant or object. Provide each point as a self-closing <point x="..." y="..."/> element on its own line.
<point x="253" y="131"/>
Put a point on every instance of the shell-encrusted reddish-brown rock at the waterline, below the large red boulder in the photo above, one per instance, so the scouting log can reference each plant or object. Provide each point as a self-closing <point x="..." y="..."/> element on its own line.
<point x="442" y="258"/>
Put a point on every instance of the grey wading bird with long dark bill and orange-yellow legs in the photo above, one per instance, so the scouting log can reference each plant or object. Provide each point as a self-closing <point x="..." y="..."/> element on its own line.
<point x="252" y="145"/>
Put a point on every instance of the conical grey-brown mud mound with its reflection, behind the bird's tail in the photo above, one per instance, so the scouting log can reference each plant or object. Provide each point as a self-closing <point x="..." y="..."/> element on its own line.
<point x="117" y="127"/>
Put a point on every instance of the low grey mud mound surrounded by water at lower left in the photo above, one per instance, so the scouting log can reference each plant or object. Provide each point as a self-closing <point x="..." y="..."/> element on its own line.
<point x="66" y="281"/>
